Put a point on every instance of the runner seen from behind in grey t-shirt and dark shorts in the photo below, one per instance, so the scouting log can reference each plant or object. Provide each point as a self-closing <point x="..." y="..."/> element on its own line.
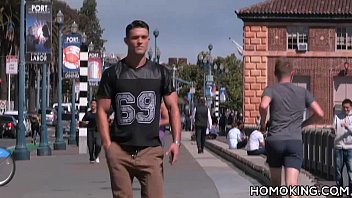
<point x="287" y="102"/>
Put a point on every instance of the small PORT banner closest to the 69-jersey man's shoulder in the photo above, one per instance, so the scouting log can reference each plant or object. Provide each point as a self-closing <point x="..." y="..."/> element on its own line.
<point x="94" y="68"/>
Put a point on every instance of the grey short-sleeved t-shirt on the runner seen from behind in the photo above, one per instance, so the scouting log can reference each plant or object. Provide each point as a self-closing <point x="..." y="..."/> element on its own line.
<point x="287" y="106"/>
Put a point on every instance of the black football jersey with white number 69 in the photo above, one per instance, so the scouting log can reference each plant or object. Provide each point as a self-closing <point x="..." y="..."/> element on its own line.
<point x="135" y="95"/>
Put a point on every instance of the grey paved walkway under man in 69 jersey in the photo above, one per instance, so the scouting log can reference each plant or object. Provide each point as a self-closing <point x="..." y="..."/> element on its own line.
<point x="68" y="174"/>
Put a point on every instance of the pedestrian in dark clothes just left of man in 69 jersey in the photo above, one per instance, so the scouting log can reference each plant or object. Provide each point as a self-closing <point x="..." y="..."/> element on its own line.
<point x="93" y="137"/>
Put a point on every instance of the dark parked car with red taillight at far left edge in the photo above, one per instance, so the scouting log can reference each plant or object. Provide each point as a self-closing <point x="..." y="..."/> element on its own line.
<point x="8" y="126"/>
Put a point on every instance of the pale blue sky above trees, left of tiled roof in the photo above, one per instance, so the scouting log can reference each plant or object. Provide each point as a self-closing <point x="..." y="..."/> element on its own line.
<point x="186" y="27"/>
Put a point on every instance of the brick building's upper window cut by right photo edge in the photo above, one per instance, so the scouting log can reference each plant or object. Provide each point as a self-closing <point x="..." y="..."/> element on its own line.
<point x="344" y="38"/>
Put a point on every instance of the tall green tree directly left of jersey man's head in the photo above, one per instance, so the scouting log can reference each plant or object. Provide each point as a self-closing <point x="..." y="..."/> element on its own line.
<point x="91" y="26"/>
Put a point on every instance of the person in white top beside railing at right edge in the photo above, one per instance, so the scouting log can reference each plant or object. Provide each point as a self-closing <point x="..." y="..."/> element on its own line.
<point x="343" y="142"/>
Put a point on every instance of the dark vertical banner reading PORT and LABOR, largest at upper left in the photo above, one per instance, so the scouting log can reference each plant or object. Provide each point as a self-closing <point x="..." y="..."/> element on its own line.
<point x="38" y="32"/>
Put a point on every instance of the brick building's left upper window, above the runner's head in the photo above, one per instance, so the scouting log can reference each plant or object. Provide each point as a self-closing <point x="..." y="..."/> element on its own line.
<point x="295" y="35"/>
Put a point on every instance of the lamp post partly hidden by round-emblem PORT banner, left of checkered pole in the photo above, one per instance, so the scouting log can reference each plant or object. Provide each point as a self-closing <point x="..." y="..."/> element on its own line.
<point x="72" y="138"/>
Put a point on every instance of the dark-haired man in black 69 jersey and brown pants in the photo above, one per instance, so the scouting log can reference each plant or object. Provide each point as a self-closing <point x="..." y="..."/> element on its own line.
<point x="134" y="87"/>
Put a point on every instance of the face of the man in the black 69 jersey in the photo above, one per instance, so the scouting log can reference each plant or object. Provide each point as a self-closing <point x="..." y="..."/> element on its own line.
<point x="137" y="41"/>
